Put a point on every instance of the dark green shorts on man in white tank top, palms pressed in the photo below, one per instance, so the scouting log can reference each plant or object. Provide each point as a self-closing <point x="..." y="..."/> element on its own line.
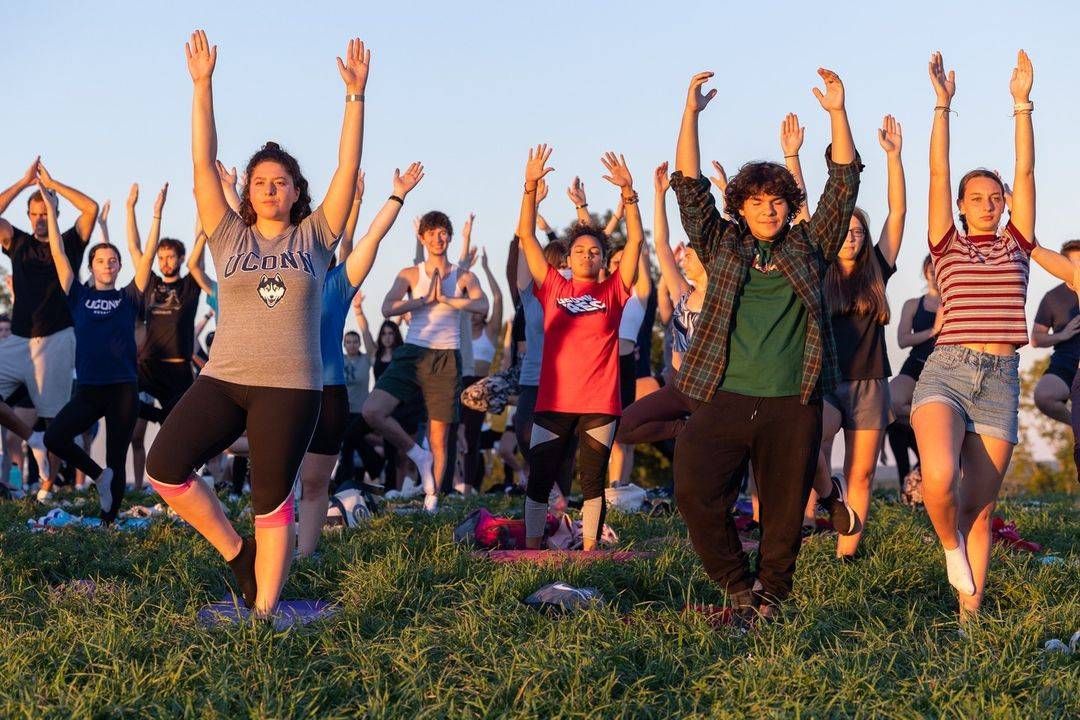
<point x="434" y="376"/>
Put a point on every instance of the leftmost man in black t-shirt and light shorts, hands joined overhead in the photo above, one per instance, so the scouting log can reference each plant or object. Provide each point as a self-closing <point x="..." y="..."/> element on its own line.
<point x="40" y="352"/>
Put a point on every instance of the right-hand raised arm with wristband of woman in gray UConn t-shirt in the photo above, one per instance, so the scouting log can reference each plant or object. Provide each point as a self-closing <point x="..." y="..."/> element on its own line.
<point x="339" y="200"/>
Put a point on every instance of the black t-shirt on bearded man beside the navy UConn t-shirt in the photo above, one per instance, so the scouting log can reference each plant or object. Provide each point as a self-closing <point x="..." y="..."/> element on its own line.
<point x="169" y="310"/>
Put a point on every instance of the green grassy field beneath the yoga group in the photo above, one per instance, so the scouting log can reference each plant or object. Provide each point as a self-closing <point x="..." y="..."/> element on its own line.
<point x="425" y="631"/>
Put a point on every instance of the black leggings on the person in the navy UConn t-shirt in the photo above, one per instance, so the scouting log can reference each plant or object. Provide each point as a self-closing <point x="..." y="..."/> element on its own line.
<point x="119" y="405"/>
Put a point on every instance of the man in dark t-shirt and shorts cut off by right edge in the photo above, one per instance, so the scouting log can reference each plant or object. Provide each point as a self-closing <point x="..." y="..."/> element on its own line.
<point x="1058" y="325"/>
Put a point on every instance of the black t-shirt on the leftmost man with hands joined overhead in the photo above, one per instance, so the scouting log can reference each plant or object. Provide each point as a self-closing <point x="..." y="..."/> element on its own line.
<point x="40" y="305"/>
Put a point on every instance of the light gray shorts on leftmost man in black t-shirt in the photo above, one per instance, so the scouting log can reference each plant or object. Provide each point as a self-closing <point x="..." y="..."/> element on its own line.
<point x="45" y="365"/>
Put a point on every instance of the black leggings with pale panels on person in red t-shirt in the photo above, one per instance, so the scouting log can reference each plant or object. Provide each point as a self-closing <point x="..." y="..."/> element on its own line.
<point x="552" y="439"/>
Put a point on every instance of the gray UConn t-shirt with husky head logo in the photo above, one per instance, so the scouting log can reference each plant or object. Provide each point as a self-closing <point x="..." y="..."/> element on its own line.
<point x="271" y="293"/>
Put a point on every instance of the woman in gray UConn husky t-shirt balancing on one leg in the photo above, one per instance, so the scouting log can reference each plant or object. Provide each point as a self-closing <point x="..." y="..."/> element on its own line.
<point x="265" y="372"/>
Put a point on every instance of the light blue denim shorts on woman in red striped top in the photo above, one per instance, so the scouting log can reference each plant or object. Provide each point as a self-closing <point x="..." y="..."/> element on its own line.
<point x="983" y="389"/>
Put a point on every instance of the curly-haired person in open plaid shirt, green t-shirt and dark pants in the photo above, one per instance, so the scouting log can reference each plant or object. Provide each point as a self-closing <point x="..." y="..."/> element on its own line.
<point x="763" y="352"/>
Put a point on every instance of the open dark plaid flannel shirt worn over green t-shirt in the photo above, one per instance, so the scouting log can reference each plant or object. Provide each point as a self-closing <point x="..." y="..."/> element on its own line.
<point x="803" y="253"/>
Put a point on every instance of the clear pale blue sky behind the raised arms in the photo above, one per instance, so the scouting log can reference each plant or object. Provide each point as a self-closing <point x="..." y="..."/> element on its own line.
<point x="102" y="92"/>
